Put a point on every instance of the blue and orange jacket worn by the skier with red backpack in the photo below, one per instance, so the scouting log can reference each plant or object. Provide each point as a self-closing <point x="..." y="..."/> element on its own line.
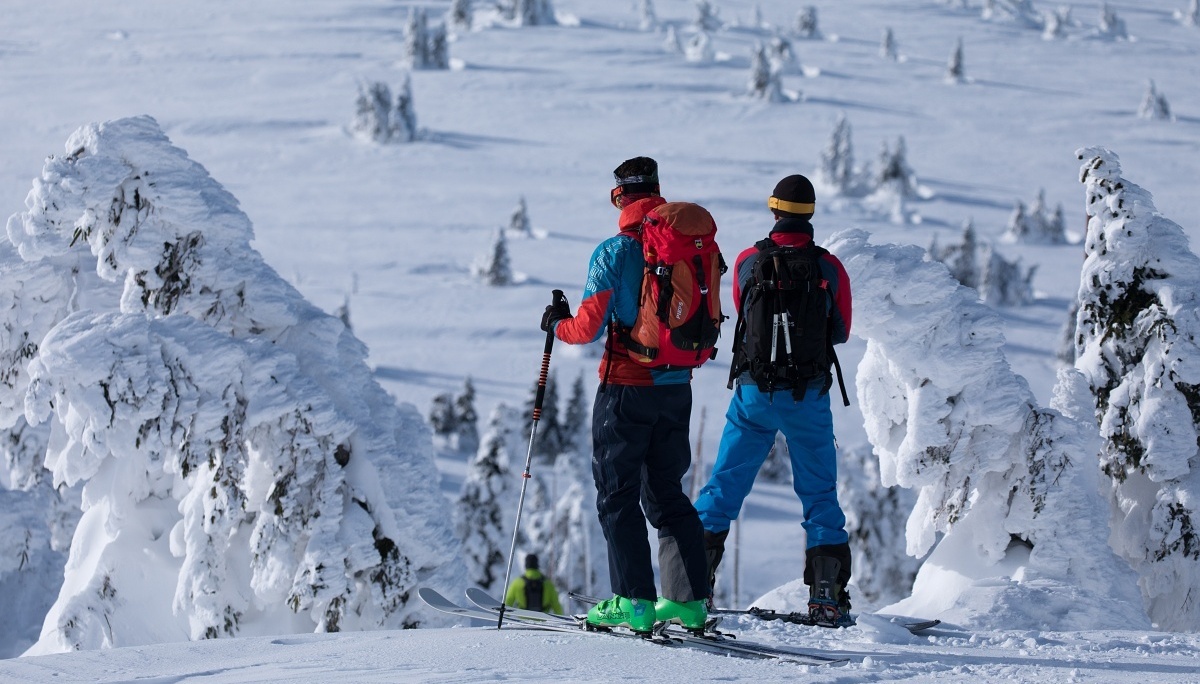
<point x="611" y="299"/>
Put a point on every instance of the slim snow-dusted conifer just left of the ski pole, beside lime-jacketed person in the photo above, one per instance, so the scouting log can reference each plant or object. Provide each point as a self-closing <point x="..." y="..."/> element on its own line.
<point x="482" y="517"/>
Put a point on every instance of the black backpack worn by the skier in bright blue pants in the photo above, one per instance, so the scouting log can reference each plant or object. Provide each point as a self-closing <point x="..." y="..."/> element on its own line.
<point x="783" y="338"/>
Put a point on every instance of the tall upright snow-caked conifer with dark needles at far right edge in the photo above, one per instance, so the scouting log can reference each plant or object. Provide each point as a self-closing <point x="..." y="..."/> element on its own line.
<point x="1137" y="346"/>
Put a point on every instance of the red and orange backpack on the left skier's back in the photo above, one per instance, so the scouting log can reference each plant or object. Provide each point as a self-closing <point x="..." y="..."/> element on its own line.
<point x="680" y="317"/>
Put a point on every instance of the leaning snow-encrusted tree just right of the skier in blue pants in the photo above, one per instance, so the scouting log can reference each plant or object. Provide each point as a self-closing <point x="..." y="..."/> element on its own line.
<point x="1003" y="487"/>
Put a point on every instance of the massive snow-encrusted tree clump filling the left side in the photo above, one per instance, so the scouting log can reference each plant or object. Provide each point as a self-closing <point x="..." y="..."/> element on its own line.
<point x="227" y="434"/>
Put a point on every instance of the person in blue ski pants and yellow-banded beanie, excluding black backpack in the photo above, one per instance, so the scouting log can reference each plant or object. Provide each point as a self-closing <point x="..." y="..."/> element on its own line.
<point x="801" y="413"/>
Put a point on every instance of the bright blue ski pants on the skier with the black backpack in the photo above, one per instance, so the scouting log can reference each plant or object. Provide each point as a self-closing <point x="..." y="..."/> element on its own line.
<point x="751" y="425"/>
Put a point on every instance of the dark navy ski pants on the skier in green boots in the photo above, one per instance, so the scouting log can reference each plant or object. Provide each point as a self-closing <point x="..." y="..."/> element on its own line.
<point x="641" y="452"/>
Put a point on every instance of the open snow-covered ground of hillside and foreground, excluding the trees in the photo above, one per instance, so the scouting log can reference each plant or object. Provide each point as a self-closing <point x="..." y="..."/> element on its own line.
<point x="262" y="95"/>
